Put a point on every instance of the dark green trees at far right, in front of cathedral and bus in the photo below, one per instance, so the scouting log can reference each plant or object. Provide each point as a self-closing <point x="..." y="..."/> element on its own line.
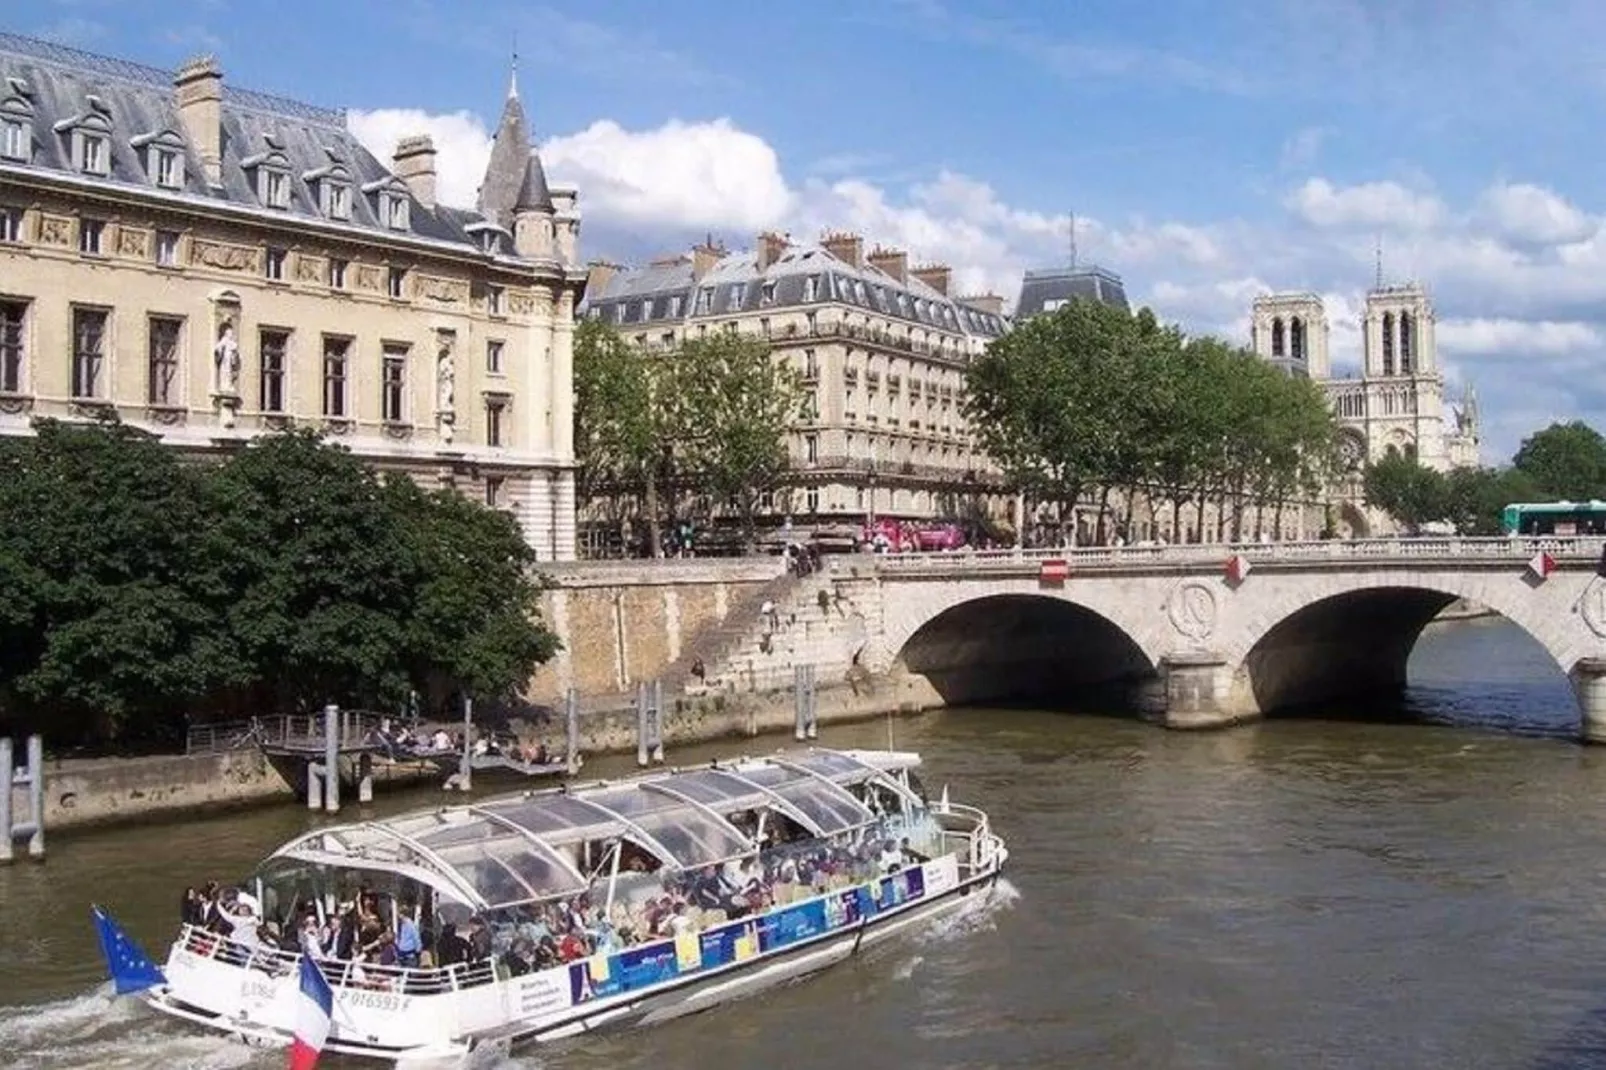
<point x="1563" y="462"/>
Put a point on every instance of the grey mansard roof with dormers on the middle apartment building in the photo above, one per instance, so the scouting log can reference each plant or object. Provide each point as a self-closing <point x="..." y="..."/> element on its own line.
<point x="648" y="295"/>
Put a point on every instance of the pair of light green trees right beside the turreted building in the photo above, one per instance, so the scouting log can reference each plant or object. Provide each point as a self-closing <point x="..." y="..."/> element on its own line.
<point x="691" y="431"/>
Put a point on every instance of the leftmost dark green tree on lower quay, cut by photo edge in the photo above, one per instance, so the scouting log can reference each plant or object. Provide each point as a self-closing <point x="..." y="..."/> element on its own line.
<point x="113" y="621"/>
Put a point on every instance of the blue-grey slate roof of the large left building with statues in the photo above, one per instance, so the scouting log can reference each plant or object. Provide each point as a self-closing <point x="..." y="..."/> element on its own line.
<point x="57" y="83"/>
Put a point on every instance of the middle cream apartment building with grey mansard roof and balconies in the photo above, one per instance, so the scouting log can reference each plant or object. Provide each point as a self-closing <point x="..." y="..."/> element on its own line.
<point x="882" y="348"/>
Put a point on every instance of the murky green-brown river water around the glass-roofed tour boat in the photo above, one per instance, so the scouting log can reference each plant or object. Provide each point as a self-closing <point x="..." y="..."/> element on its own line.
<point x="1380" y="889"/>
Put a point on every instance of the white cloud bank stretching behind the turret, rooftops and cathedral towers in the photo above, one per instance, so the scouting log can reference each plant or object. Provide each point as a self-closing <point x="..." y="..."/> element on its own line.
<point x="1518" y="274"/>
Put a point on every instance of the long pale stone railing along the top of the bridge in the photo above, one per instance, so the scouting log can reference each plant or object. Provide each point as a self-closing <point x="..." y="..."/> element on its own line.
<point x="1329" y="550"/>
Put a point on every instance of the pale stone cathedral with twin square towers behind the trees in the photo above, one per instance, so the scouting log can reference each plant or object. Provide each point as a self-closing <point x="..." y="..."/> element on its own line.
<point x="1398" y="402"/>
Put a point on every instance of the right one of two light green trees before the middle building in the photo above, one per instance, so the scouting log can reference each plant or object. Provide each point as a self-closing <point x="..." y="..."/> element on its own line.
<point x="732" y="406"/>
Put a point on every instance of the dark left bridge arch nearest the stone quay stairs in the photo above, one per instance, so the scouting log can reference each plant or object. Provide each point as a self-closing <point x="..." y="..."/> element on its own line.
<point x="1019" y="643"/>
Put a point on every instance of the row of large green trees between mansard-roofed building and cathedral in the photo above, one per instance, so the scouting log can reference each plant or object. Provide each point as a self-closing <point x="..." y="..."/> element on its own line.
<point x="1094" y="404"/>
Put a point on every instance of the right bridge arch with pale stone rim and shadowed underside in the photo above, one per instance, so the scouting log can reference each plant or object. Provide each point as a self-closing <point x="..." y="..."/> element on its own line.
<point x="1331" y="639"/>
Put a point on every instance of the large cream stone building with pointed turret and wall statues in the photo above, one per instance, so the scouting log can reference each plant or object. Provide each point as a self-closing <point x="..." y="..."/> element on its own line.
<point x="210" y="264"/>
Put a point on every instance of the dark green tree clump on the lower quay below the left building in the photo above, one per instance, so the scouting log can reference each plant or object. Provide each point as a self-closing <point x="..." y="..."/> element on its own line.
<point x="139" y="589"/>
